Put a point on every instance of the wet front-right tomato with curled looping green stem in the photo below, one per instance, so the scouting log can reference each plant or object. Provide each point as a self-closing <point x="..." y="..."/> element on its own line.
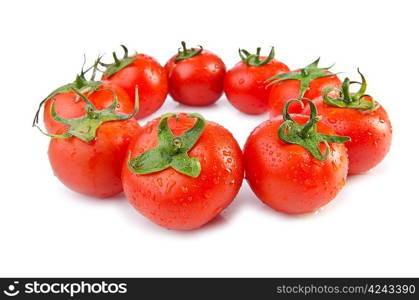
<point x="296" y="164"/>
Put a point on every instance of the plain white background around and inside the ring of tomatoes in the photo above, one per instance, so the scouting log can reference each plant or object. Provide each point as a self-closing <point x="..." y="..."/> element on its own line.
<point x="370" y="229"/>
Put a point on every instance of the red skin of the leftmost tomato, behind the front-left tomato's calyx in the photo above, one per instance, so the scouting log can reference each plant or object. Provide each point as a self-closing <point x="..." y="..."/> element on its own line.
<point x="67" y="107"/>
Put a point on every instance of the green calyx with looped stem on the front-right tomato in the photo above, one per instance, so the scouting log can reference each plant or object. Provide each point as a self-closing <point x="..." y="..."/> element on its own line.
<point x="306" y="135"/>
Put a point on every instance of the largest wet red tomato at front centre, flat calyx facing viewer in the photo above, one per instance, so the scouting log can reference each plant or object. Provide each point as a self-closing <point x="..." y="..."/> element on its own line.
<point x="181" y="172"/>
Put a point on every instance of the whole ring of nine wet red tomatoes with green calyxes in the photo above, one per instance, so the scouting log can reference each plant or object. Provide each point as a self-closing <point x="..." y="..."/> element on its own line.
<point x="180" y="170"/>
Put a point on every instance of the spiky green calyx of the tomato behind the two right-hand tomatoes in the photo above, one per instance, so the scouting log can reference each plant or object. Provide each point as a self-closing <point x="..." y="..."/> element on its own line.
<point x="305" y="76"/>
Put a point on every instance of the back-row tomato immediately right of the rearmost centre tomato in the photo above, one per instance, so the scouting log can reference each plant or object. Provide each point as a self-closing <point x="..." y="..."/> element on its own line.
<point x="245" y="83"/>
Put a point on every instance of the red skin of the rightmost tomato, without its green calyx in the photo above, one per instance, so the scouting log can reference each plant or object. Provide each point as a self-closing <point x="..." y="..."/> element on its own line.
<point x="370" y="133"/>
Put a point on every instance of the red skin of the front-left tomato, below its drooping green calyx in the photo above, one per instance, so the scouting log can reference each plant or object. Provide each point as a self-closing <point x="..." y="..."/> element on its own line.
<point x="94" y="168"/>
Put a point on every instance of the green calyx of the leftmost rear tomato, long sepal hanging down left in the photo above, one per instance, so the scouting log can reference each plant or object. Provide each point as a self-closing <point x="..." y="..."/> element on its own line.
<point x="81" y="84"/>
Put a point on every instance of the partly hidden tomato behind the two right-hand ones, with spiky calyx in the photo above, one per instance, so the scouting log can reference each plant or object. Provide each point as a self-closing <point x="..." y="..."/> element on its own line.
<point x="302" y="83"/>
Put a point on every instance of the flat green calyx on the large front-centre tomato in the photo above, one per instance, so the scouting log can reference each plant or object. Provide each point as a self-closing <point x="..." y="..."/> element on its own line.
<point x="172" y="151"/>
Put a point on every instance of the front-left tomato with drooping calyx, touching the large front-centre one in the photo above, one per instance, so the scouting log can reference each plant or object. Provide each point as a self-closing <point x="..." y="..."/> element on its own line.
<point x="87" y="154"/>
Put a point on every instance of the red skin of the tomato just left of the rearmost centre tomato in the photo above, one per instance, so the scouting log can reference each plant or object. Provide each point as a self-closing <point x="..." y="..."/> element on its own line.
<point x="152" y="82"/>
